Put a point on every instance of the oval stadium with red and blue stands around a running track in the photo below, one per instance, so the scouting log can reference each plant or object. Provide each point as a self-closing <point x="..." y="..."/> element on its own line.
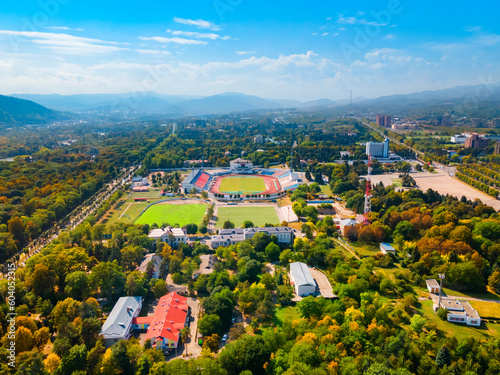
<point x="242" y="181"/>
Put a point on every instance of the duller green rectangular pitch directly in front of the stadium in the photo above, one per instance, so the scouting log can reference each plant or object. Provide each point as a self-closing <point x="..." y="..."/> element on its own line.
<point x="257" y="215"/>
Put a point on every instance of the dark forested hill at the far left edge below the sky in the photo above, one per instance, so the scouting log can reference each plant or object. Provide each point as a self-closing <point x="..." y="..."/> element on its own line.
<point x="18" y="112"/>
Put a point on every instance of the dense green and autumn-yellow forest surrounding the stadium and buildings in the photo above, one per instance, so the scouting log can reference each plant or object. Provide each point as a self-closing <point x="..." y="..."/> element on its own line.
<point x="376" y="325"/>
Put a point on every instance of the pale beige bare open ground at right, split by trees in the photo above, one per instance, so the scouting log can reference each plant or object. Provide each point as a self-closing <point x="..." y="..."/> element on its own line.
<point x="442" y="183"/>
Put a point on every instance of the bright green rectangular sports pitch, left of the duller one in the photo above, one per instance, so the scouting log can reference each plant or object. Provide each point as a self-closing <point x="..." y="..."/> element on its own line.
<point x="173" y="214"/>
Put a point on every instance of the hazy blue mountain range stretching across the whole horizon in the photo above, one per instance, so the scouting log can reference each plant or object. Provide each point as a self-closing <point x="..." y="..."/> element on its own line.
<point x="473" y="101"/>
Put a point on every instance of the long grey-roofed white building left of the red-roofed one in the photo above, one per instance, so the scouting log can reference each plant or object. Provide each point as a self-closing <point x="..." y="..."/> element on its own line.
<point x="118" y="326"/>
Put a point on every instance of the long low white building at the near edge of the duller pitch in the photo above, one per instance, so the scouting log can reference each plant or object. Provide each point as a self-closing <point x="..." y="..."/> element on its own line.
<point x="228" y="237"/>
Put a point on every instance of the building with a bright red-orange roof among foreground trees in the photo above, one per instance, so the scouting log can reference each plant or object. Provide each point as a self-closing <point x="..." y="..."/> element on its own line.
<point x="164" y="327"/>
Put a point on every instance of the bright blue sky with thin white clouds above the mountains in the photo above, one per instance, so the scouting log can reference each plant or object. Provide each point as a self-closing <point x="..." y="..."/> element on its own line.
<point x="302" y="50"/>
